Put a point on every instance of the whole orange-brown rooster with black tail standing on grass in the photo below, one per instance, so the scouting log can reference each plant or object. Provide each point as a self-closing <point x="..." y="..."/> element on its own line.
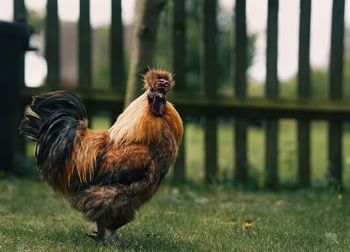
<point x="107" y="175"/>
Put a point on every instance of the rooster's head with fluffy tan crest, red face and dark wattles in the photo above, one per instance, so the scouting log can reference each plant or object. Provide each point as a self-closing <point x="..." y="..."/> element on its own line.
<point x="157" y="83"/>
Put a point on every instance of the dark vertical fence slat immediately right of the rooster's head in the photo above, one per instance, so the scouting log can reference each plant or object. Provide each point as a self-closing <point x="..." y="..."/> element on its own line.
<point x="179" y="64"/>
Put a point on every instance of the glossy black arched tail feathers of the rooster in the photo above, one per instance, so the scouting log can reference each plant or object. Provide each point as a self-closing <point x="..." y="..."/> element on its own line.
<point x="52" y="124"/>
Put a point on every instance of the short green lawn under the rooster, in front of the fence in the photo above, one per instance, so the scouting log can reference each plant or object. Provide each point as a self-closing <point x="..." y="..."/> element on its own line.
<point x="33" y="218"/>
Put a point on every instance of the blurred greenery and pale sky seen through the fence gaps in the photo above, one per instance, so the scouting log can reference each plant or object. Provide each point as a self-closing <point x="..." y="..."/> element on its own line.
<point x="100" y="13"/>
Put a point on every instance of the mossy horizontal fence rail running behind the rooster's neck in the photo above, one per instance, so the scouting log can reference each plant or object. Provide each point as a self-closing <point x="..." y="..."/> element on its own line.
<point x="249" y="107"/>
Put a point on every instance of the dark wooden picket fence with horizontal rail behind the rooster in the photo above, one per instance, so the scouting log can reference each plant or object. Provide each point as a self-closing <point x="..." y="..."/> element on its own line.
<point x="208" y="104"/>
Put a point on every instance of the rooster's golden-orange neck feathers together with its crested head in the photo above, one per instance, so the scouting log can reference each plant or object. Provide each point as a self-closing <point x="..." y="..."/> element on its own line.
<point x="140" y="124"/>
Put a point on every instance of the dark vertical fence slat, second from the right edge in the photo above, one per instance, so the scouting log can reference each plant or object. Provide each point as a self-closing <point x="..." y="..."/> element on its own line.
<point x="304" y="90"/>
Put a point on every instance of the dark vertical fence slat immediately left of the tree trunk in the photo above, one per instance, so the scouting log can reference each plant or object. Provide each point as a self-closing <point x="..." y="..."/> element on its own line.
<point x="116" y="48"/>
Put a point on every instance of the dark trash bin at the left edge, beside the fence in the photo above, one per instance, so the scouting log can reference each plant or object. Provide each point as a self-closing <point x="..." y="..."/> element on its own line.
<point x="14" y="42"/>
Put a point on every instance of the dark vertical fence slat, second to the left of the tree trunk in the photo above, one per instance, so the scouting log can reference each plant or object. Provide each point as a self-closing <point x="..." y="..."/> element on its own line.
<point x="84" y="45"/>
